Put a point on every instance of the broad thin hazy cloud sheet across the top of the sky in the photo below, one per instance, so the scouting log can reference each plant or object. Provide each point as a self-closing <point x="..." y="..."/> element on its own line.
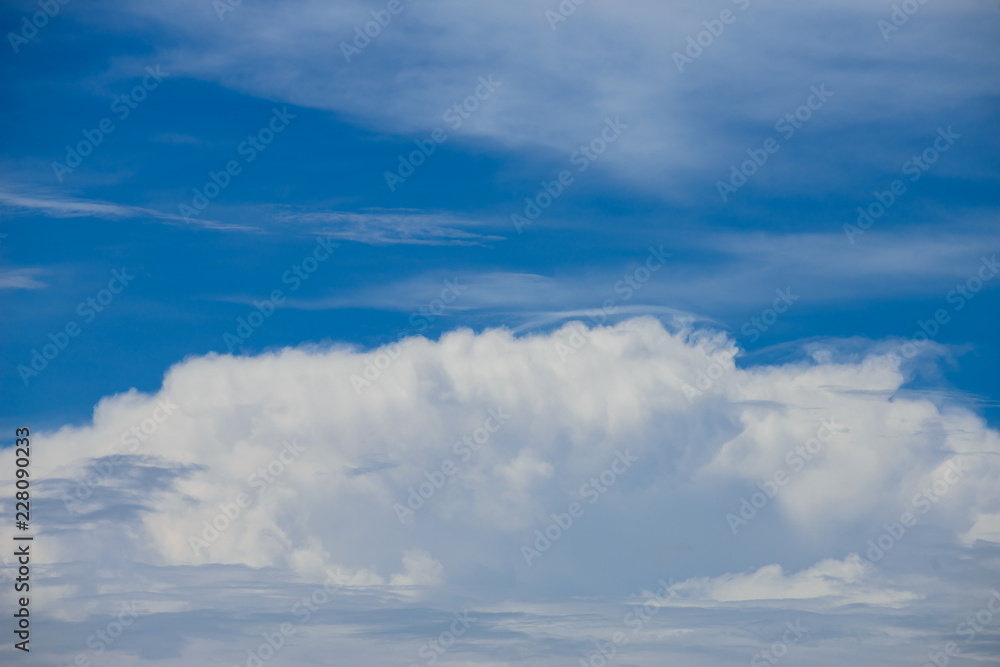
<point x="605" y="61"/>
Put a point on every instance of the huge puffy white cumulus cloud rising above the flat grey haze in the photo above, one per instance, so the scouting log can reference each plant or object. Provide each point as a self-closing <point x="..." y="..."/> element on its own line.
<point x="288" y="431"/>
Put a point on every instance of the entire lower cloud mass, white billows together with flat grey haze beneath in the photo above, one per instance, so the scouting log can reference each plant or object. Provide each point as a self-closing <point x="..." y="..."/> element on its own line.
<point x="646" y="438"/>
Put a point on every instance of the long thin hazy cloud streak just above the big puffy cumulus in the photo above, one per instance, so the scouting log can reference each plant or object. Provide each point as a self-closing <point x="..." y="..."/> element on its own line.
<point x="715" y="273"/>
